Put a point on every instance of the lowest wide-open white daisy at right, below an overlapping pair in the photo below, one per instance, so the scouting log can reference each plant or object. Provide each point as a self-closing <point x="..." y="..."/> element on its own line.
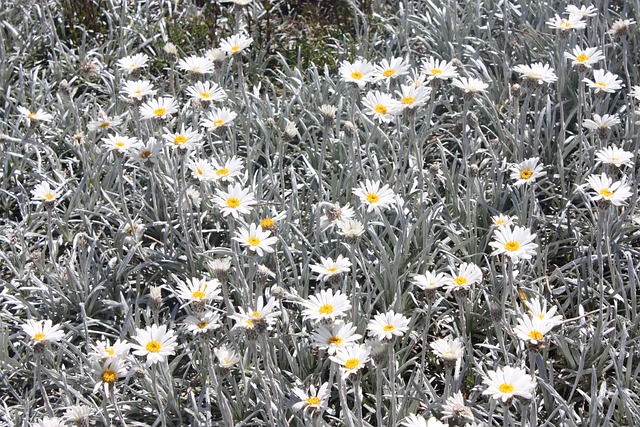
<point x="508" y="382"/>
